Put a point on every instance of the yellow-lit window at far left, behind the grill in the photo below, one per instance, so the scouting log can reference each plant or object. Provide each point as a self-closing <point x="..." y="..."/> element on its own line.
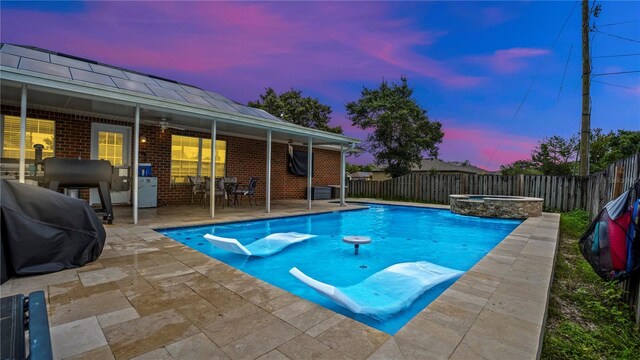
<point x="38" y="132"/>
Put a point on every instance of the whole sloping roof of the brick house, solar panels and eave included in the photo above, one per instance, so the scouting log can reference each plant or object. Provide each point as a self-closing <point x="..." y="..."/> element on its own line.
<point x="71" y="73"/>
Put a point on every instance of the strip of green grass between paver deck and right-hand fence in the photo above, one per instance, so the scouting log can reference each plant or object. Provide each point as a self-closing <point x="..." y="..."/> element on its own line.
<point x="587" y="318"/>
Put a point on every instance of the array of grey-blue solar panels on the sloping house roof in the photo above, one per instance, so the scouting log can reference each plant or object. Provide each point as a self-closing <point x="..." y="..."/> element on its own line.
<point x="88" y="71"/>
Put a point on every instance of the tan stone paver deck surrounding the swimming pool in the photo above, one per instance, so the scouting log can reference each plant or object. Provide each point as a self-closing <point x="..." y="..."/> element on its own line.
<point x="149" y="297"/>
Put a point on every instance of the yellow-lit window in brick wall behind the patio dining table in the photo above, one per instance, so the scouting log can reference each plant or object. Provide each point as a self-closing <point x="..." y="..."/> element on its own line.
<point x="191" y="156"/>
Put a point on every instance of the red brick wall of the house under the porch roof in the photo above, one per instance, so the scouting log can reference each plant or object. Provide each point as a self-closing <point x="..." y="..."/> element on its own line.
<point x="245" y="157"/>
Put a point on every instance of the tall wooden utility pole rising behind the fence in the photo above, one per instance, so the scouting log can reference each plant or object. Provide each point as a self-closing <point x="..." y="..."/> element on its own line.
<point x="585" y="128"/>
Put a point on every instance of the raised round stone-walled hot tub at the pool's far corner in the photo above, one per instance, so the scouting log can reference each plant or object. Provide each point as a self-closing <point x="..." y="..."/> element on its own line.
<point x="506" y="207"/>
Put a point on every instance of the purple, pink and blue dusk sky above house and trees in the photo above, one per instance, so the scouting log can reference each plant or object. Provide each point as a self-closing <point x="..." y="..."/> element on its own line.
<point x="499" y="76"/>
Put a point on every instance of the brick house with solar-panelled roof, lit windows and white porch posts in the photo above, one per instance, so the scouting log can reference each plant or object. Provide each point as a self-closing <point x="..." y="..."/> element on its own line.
<point x="79" y="108"/>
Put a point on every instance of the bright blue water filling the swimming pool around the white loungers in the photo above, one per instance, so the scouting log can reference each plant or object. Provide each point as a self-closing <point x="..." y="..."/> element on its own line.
<point x="398" y="233"/>
